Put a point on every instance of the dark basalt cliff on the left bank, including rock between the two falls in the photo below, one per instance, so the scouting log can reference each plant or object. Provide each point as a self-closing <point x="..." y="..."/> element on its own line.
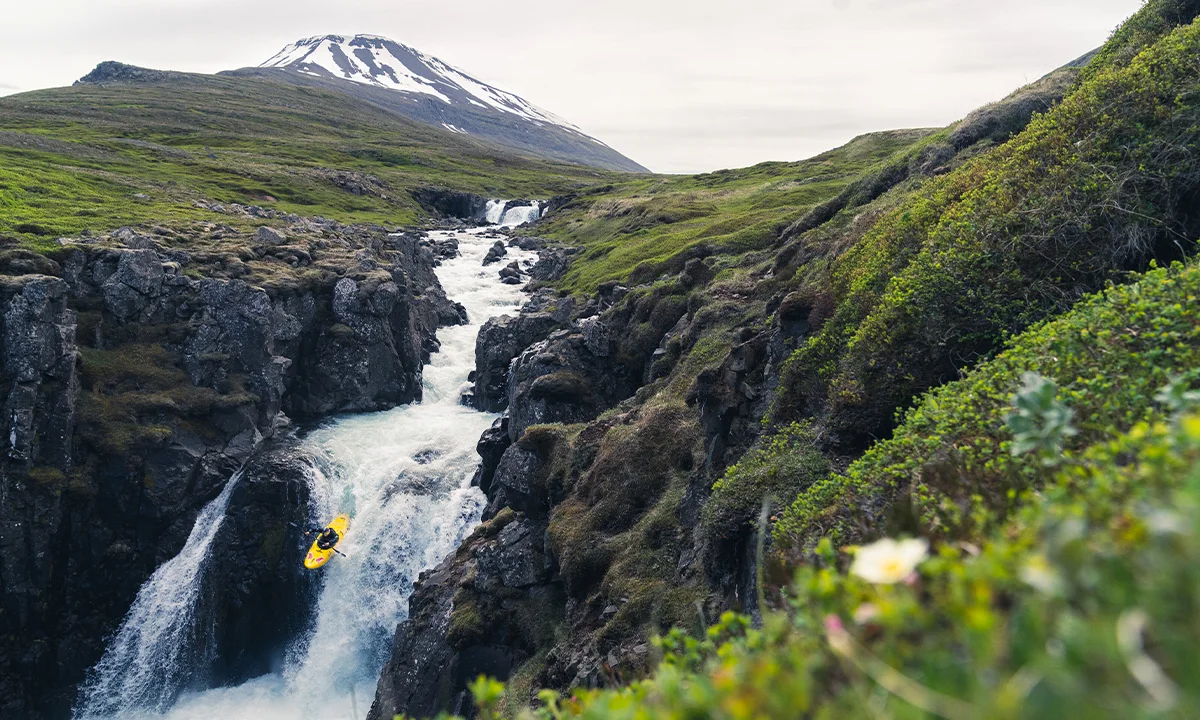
<point x="139" y="375"/>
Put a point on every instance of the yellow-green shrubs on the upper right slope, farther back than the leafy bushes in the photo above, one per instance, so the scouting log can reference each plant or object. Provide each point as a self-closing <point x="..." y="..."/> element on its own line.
<point x="1099" y="185"/>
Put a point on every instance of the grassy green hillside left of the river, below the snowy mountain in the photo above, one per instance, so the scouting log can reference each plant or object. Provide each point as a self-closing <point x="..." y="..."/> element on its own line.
<point x="95" y="158"/>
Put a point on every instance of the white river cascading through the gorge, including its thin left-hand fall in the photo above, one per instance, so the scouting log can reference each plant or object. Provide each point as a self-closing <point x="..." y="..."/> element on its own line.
<point x="405" y="478"/>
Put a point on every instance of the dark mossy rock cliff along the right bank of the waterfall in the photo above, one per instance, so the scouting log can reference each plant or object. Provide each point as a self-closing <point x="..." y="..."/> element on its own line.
<point x="596" y="484"/>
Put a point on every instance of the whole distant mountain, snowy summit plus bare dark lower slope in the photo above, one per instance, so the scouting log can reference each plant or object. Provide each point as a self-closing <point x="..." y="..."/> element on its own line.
<point x="421" y="87"/>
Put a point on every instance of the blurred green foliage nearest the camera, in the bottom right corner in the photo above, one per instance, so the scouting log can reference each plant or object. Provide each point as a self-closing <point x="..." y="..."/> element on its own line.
<point x="1083" y="607"/>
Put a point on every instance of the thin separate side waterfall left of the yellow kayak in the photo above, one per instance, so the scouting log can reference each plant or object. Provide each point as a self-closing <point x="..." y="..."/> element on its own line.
<point x="159" y="646"/>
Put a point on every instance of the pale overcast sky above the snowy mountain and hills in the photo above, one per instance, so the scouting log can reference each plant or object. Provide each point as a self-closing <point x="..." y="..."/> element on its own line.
<point x="679" y="86"/>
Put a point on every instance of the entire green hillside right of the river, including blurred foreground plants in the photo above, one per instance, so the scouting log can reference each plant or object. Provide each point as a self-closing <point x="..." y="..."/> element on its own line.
<point x="994" y="349"/>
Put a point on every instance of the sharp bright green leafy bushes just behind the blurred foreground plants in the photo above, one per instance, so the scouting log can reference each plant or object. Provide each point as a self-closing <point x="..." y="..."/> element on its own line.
<point x="952" y="455"/>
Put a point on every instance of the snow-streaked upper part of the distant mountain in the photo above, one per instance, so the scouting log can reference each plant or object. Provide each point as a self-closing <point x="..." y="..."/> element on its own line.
<point x="382" y="63"/>
